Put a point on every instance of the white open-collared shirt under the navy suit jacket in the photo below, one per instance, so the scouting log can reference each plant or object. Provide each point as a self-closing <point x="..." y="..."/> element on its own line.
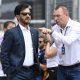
<point x="29" y="59"/>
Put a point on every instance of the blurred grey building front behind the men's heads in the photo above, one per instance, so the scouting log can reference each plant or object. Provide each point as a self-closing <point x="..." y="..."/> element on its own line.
<point x="41" y="11"/>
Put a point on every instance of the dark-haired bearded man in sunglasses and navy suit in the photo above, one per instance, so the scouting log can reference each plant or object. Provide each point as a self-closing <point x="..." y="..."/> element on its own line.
<point x="19" y="53"/>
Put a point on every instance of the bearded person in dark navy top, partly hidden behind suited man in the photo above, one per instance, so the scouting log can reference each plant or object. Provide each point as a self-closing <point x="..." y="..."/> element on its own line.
<point x="43" y="74"/>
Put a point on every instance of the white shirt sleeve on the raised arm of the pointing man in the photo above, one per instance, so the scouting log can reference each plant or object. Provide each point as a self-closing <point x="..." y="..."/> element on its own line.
<point x="67" y="39"/>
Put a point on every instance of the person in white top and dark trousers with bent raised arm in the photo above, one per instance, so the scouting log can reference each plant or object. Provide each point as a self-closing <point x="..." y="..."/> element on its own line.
<point x="52" y="60"/>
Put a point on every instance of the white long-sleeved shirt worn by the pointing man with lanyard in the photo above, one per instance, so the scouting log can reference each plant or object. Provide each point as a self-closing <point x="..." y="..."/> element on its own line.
<point x="71" y="41"/>
